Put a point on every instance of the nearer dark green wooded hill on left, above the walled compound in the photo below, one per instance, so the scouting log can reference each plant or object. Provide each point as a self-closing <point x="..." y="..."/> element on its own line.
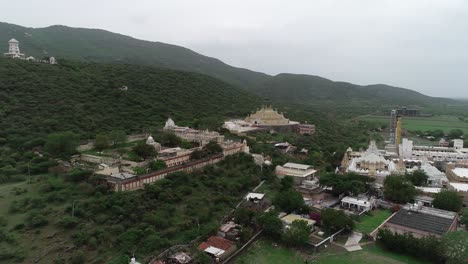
<point x="85" y="98"/>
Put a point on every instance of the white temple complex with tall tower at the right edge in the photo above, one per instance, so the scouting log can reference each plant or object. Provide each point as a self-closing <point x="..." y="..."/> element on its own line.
<point x="444" y="165"/>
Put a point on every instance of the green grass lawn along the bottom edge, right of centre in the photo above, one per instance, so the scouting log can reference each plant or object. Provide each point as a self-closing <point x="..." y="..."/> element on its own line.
<point x="264" y="252"/>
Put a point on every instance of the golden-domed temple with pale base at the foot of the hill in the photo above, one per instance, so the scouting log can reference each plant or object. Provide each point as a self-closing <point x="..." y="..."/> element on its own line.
<point x="267" y="119"/>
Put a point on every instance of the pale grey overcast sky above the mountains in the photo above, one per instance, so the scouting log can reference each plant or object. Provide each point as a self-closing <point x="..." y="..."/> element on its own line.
<point x="421" y="45"/>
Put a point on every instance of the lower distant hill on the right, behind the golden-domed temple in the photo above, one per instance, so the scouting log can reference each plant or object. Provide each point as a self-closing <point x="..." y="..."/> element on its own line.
<point x="314" y="90"/>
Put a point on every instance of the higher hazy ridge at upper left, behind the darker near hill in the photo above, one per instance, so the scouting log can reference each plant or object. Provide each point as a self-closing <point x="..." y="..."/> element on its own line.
<point x="104" y="46"/>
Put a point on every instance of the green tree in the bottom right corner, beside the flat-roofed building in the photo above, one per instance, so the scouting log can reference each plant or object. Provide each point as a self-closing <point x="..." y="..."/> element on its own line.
<point x="455" y="247"/>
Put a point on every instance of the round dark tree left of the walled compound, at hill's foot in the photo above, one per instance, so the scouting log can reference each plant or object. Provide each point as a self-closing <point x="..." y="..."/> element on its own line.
<point x="62" y="144"/>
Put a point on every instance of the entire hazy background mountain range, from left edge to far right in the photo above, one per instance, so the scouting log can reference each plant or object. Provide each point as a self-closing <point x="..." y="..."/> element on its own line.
<point x="104" y="46"/>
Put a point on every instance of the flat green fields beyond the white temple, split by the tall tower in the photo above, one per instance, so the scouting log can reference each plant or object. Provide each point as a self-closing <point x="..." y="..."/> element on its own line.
<point x="445" y="123"/>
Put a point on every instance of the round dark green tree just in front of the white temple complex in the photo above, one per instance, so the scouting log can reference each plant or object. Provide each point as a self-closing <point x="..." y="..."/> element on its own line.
<point x="398" y="189"/>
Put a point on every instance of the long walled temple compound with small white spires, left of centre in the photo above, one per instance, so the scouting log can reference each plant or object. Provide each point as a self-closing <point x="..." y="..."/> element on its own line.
<point x="120" y="174"/>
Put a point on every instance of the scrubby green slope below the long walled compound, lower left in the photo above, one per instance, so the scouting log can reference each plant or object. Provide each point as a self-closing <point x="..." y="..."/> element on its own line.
<point x="82" y="222"/>
